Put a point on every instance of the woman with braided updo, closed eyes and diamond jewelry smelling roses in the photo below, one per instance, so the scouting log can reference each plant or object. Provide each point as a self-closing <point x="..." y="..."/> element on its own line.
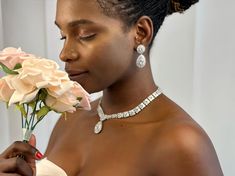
<point x="133" y="129"/>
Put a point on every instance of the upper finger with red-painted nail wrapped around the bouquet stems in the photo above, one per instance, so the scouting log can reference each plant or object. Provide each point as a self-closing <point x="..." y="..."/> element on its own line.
<point x="21" y="148"/>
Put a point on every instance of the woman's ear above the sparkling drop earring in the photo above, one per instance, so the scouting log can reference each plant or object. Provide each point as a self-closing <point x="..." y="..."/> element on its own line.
<point x="143" y="31"/>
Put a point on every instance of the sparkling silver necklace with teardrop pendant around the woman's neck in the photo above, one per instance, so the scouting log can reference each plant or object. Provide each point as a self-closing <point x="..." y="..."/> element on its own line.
<point x="126" y="114"/>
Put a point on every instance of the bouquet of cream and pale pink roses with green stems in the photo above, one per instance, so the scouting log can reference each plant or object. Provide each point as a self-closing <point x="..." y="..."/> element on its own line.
<point x="36" y="87"/>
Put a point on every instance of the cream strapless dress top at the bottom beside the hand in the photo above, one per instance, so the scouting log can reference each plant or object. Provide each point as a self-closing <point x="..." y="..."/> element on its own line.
<point x="46" y="167"/>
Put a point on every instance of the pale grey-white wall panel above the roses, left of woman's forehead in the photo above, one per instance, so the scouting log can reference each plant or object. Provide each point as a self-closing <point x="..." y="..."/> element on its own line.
<point x="23" y="25"/>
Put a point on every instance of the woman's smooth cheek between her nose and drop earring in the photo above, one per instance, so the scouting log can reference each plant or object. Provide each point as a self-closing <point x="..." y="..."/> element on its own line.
<point x="108" y="60"/>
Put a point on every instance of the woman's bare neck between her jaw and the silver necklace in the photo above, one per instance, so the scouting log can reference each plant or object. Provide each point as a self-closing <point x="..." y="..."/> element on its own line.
<point x="128" y="92"/>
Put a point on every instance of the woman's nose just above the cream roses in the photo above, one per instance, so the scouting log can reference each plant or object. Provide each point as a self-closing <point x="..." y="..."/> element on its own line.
<point x="69" y="53"/>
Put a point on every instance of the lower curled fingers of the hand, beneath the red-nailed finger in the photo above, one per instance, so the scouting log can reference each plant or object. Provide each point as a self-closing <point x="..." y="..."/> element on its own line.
<point x="15" y="165"/>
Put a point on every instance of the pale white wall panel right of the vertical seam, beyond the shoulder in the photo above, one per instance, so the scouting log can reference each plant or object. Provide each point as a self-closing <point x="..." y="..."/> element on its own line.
<point x="214" y="70"/>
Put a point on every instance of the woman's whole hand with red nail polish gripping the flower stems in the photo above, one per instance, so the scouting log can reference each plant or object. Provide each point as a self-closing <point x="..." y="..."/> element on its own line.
<point x="11" y="164"/>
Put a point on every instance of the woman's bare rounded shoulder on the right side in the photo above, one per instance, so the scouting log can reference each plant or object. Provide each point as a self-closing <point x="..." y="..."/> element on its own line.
<point x="182" y="147"/>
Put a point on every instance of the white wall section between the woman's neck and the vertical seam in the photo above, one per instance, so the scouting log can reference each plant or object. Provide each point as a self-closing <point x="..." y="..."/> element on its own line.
<point x="172" y="57"/>
